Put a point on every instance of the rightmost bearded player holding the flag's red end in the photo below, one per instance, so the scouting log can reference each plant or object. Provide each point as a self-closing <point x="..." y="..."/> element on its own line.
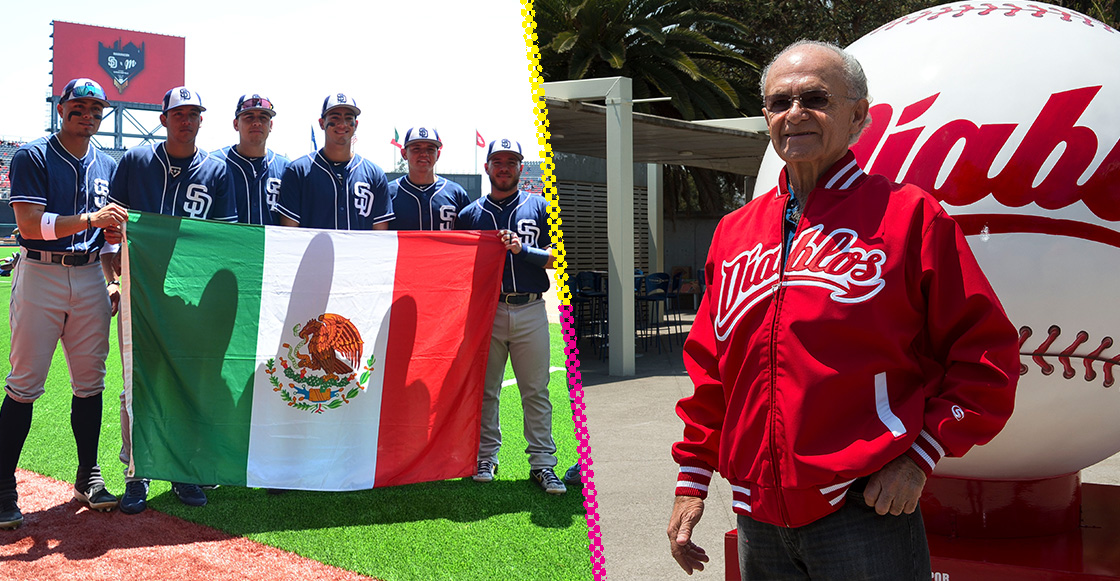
<point x="521" y="326"/>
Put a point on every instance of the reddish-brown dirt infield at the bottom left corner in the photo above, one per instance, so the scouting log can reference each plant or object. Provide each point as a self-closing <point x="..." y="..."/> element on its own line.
<point x="63" y="541"/>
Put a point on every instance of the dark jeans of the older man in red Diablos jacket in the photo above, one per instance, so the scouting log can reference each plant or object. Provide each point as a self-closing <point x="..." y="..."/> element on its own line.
<point x="854" y="543"/>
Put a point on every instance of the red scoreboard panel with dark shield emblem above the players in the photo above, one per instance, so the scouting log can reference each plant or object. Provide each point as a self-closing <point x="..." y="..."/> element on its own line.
<point x="135" y="68"/>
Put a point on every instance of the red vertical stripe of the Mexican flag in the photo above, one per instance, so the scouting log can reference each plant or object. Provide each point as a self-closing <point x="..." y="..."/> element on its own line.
<point x="436" y="359"/>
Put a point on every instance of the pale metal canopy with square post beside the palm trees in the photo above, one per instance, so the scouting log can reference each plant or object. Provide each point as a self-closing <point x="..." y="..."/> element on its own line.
<point x="614" y="133"/>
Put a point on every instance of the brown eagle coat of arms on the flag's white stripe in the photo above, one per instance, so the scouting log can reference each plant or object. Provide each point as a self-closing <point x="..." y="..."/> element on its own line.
<point x="333" y="348"/>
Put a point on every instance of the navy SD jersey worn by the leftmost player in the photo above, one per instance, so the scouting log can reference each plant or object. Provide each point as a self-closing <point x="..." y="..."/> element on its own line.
<point x="45" y="174"/>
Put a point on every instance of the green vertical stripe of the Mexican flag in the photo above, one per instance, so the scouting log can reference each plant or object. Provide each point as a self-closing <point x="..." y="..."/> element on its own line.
<point x="210" y="295"/>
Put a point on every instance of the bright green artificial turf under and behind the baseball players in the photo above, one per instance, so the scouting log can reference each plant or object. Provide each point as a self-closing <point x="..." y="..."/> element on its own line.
<point x="449" y="530"/>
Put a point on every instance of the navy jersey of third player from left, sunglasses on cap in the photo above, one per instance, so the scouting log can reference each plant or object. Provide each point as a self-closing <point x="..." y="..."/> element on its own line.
<point x="256" y="184"/>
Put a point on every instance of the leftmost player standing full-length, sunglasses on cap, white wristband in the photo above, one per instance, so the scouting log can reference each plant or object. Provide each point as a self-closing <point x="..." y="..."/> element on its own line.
<point x="59" y="193"/>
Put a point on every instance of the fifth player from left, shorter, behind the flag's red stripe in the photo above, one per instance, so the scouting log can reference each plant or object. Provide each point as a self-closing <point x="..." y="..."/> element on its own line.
<point x="423" y="200"/>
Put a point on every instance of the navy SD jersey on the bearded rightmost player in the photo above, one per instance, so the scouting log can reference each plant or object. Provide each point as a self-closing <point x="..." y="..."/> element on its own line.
<point x="528" y="217"/>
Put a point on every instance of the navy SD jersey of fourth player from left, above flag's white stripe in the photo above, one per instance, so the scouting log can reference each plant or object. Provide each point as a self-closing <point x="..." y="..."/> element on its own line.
<point x="321" y="194"/>
